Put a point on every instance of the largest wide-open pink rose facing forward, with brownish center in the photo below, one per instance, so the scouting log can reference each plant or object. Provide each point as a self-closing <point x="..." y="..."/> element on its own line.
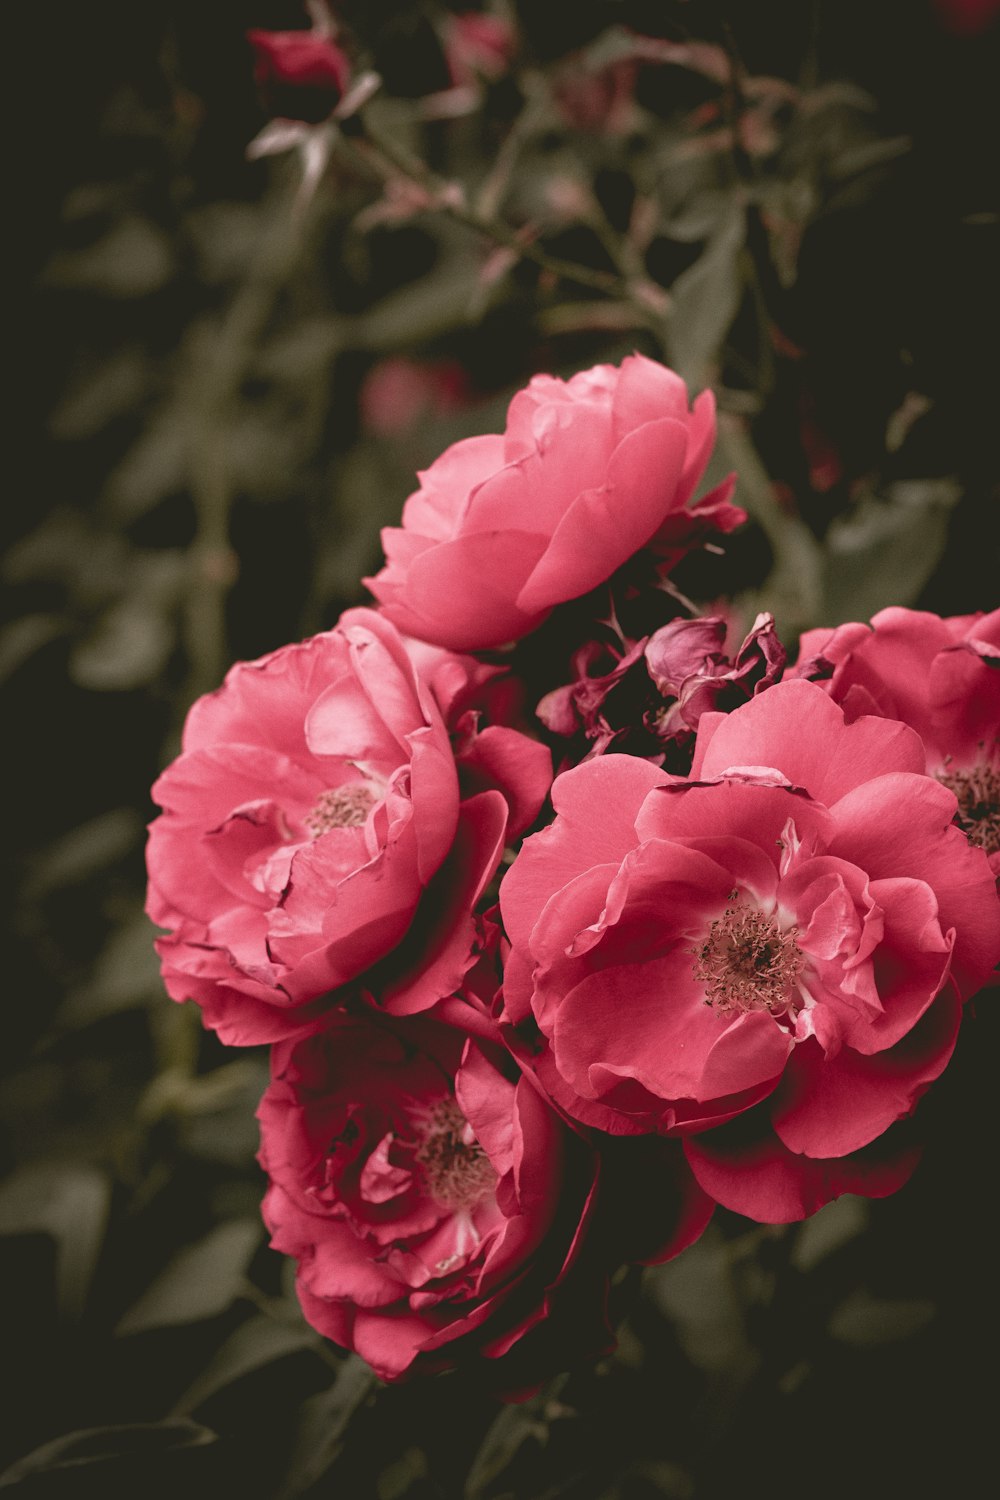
<point x="782" y="943"/>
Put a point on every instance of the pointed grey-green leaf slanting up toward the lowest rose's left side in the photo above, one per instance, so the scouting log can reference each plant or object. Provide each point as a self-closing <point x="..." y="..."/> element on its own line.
<point x="200" y="1283"/>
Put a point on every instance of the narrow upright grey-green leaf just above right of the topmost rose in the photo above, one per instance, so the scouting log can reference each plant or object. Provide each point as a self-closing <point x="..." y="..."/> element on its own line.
<point x="705" y="301"/>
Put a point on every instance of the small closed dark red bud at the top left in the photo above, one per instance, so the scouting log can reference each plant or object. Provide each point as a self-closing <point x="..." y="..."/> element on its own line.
<point x="302" y="76"/>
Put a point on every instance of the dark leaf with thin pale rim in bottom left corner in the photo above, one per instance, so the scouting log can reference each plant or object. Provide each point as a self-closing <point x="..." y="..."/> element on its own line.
<point x="148" y="1459"/>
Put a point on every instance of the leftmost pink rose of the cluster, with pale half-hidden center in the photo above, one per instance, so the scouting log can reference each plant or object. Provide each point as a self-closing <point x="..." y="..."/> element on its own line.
<point x="319" y="832"/>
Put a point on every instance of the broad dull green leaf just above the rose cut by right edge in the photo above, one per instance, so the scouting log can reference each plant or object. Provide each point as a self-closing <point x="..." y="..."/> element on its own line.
<point x="885" y="550"/>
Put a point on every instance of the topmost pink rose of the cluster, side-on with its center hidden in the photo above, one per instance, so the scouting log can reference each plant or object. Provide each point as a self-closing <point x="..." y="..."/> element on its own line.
<point x="587" y="473"/>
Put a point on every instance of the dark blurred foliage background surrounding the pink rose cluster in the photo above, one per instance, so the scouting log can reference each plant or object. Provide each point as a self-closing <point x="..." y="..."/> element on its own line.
<point x="226" y="383"/>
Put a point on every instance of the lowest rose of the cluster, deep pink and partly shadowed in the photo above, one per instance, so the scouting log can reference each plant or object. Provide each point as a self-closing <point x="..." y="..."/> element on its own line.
<point x="439" y="1208"/>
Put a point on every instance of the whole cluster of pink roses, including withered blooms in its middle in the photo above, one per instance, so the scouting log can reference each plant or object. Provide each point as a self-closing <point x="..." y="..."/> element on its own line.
<point x="527" y="1030"/>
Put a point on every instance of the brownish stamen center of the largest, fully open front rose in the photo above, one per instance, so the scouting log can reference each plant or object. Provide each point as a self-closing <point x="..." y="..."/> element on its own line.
<point x="747" y="964"/>
